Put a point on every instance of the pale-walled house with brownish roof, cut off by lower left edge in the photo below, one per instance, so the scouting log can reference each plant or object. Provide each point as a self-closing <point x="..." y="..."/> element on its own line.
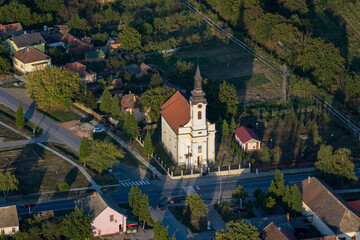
<point x="9" y="221"/>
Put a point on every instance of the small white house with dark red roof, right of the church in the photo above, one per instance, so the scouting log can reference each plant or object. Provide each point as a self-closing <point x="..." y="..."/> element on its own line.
<point x="247" y="139"/>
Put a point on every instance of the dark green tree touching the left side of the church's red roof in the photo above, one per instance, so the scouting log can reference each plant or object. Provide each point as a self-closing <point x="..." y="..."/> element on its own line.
<point x="153" y="99"/>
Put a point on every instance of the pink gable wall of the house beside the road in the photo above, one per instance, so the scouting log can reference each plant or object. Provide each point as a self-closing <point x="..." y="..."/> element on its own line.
<point x="103" y="226"/>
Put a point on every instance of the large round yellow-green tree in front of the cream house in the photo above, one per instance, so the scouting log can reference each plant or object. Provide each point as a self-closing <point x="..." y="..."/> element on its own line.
<point x="51" y="85"/>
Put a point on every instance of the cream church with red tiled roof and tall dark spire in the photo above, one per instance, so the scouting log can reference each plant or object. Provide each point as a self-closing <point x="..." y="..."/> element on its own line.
<point x="186" y="134"/>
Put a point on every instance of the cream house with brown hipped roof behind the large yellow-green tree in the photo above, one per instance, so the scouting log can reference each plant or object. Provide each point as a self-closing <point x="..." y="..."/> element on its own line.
<point x="30" y="59"/>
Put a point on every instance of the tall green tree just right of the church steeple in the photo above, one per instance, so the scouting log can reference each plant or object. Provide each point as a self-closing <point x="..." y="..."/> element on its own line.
<point x="228" y="96"/>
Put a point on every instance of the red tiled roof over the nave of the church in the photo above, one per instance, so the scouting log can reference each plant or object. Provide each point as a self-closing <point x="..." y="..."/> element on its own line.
<point x="176" y="111"/>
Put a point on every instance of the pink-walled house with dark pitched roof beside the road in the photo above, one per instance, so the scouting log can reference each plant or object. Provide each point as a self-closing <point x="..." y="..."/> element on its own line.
<point x="107" y="217"/>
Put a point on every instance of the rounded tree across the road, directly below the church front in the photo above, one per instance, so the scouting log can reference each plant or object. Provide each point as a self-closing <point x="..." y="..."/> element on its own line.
<point x="195" y="209"/>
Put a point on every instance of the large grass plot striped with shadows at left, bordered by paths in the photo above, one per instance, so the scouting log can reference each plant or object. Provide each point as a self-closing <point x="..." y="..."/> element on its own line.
<point x="39" y="170"/>
